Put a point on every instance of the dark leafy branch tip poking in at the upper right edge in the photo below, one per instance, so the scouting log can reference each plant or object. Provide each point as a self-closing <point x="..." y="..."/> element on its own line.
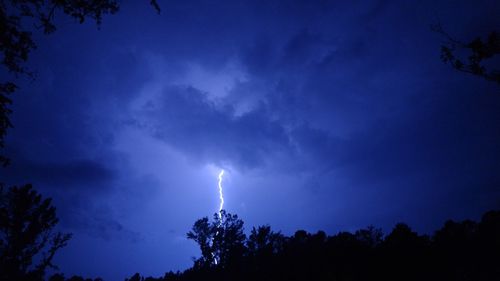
<point x="472" y="57"/>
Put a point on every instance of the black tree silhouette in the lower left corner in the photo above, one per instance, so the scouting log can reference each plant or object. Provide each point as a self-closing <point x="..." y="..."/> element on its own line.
<point x="27" y="240"/>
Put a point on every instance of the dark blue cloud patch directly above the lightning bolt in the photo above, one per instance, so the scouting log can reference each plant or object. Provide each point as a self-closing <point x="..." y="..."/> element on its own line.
<point x="185" y="118"/>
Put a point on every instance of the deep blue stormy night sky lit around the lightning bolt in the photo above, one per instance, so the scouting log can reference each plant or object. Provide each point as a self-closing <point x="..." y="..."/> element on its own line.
<point x="326" y="115"/>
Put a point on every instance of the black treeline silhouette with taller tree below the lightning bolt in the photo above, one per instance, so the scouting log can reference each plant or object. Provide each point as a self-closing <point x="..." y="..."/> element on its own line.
<point x="458" y="251"/>
